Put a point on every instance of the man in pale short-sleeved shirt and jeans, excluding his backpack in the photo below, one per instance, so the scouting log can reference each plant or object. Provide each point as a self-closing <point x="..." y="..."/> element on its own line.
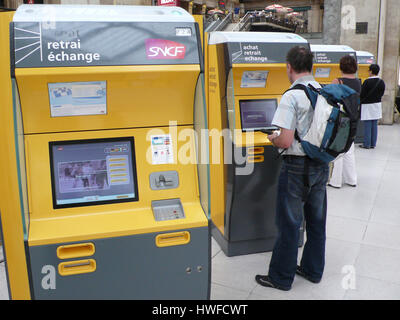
<point x="301" y="192"/>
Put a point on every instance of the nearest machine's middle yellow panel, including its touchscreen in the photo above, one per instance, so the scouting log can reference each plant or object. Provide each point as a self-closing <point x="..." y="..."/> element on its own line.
<point x="49" y="223"/>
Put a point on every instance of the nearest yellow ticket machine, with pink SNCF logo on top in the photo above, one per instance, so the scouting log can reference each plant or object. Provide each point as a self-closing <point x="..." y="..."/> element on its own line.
<point x="108" y="103"/>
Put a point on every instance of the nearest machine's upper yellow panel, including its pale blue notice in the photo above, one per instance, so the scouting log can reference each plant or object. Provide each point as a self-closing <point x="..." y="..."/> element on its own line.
<point x="66" y="99"/>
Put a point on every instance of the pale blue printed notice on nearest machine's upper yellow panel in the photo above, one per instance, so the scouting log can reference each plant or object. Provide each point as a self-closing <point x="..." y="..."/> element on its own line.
<point x="78" y="98"/>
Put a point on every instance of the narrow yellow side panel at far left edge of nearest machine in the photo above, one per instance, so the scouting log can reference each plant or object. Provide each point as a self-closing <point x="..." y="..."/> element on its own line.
<point x="12" y="220"/>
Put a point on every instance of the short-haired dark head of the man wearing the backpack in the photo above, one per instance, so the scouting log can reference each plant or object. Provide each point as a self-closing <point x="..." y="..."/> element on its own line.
<point x="299" y="63"/>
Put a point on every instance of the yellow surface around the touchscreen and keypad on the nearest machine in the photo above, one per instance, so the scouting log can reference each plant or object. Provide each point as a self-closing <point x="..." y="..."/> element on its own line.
<point x="49" y="225"/>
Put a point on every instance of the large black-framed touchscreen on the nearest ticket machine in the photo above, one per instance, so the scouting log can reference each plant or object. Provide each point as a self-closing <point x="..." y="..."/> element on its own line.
<point x="91" y="172"/>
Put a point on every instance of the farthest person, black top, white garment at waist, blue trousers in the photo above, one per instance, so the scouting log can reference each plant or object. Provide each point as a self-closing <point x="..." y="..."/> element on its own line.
<point x="372" y="91"/>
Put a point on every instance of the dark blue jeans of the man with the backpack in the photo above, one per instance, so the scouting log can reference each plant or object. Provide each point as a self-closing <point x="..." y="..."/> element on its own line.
<point x="292" y="206"/>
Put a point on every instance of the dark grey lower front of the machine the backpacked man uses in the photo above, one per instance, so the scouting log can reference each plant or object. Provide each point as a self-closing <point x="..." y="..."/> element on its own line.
<point x="256" y="195"/>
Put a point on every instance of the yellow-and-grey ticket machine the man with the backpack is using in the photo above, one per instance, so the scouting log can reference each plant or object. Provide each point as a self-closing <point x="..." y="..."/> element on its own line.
<point x="246" y="78"/>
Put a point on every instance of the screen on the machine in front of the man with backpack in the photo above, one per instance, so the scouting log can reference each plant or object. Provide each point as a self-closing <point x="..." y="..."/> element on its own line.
<point x="257" y="114"/>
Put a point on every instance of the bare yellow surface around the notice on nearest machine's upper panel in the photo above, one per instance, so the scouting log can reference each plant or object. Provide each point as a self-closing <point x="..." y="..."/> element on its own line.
<point x="128" y="100"/>
